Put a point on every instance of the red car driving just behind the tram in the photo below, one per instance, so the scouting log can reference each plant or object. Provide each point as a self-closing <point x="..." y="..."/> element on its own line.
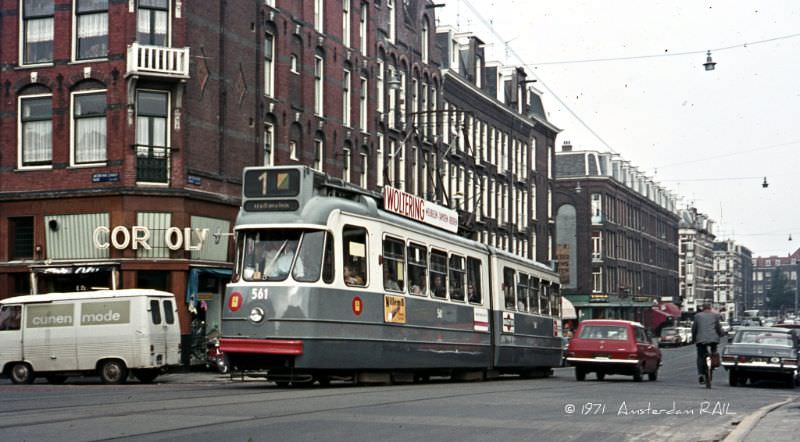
<point x="607" y="346"/>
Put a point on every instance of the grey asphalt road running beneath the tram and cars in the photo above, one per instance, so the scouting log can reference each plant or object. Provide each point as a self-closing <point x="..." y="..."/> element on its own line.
<point x="209" y="407"/>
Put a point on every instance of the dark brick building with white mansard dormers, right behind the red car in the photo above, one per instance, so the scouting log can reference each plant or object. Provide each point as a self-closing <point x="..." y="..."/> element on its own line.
<point x="616" y="236"/>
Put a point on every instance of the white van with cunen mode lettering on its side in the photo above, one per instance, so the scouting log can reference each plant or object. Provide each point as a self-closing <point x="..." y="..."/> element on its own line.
<point x="108" y="333"/>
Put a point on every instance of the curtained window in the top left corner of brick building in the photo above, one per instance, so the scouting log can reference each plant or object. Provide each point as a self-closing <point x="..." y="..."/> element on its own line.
<point x="37" y="45"/>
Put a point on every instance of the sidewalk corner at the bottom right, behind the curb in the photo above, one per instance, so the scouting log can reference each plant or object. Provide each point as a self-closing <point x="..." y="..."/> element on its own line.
<point x="780" y="424"/>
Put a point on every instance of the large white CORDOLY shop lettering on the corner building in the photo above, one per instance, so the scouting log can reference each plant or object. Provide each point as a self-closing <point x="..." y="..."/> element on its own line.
<point x="136" y="237"/>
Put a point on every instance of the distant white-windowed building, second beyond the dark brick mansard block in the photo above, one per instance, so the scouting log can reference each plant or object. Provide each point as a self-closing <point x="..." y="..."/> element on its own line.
<point x="733" y="279"/>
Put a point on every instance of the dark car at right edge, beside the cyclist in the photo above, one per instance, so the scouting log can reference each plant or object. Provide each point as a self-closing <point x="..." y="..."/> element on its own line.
<point x="762" y="353"/>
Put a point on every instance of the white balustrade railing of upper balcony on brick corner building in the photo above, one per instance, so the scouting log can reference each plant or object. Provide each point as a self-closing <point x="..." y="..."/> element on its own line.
<point x="158" y="61"/>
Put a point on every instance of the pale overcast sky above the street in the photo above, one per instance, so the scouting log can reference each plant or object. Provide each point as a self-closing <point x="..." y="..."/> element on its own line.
<point x="711" y="137"/>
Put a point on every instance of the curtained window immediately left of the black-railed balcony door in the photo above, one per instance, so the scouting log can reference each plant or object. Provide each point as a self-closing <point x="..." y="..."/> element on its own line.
<point x="89" y="128"/>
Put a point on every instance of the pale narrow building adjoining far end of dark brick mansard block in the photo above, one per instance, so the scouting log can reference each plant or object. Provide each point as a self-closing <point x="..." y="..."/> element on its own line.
<point x="696" y="260"/>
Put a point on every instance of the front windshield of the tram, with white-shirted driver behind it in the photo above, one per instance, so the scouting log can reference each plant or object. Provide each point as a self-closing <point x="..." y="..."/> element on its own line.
<point x="274" y="254"/>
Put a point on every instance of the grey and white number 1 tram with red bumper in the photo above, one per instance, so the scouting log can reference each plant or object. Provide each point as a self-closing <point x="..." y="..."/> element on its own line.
<point x="328" y="285"/>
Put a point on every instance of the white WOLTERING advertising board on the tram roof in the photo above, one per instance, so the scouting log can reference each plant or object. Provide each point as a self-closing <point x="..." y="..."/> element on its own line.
<point x="418" y="209"/>
